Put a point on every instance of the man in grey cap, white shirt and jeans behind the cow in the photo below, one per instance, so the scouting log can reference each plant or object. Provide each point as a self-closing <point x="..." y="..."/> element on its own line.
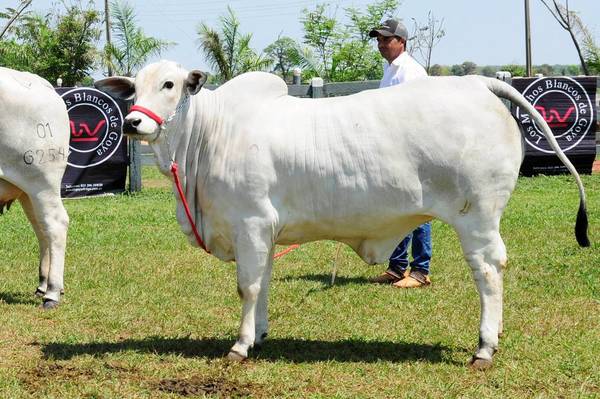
<point x="391" y="42"/>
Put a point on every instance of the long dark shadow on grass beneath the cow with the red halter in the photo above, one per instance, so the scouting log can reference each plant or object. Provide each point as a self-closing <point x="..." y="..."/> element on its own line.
<point x="287" y="349"/>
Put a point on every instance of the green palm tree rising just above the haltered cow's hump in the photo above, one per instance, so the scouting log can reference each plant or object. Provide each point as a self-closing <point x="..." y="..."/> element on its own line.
<point x="229" y="52"/>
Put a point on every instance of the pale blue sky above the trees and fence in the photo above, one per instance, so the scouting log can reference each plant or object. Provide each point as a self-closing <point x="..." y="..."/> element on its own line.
<point x="487" y="32"/>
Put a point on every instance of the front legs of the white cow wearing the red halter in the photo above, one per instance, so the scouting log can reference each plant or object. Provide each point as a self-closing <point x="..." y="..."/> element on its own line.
<point x="253" y="256"/>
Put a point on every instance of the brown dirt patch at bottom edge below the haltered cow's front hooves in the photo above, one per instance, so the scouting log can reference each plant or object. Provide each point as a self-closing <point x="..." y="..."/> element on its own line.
<point x="197" y="386"/>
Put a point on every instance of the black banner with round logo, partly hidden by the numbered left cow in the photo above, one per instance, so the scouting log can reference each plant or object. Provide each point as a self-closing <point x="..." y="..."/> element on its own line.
<point x="97" y="162"/>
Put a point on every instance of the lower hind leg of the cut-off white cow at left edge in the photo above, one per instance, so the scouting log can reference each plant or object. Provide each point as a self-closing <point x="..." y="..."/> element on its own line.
<point x="50" y="222"/>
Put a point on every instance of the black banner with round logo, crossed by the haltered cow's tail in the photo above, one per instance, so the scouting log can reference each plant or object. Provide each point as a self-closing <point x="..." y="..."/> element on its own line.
<point x="569" y="107"/>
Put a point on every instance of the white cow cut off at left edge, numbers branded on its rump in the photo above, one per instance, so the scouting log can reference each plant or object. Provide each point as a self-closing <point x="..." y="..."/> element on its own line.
<point x="34" y="145"/>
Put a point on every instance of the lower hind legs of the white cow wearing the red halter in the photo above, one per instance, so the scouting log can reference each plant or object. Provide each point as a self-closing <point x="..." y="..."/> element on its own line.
<point x="485" y="252"/>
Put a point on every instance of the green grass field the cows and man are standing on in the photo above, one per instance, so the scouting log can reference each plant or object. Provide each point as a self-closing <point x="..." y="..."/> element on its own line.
<point x="147" y="316"/>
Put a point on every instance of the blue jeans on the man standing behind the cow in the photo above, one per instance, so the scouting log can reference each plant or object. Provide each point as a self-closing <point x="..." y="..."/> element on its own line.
<point x="420" y="249"/>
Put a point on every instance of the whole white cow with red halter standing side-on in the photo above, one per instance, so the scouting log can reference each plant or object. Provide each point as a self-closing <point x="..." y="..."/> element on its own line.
<point x="262" y="168"/>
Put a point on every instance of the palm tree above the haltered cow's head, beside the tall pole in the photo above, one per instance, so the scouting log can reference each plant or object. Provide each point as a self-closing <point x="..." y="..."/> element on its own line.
<point x="130" y="48"/>
